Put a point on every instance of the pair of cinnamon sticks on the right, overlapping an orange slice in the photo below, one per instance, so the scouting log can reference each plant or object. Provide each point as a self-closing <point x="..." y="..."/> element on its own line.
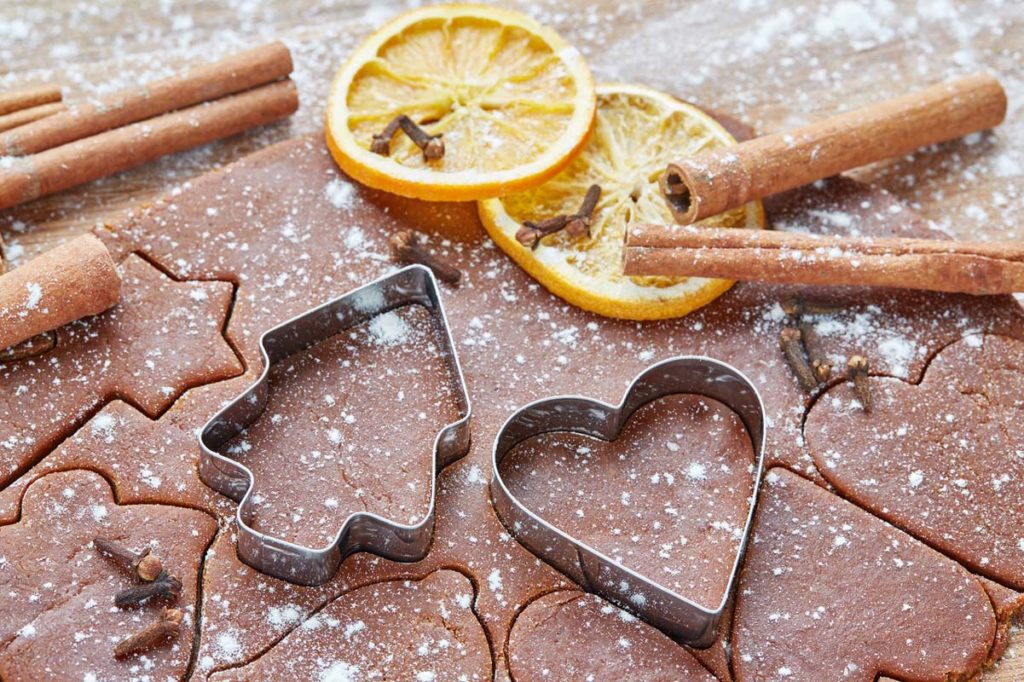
<point x="722" y="180"/>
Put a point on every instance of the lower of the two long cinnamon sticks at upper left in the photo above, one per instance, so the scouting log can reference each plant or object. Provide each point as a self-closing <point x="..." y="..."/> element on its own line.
<point x="25" y="179"/>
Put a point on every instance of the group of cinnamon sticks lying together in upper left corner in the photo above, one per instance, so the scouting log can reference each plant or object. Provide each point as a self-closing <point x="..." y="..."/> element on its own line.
<point x="95" y="140"/>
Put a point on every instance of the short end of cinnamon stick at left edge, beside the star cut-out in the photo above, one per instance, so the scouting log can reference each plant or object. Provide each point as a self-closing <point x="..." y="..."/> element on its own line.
<point x="73" y="281"/>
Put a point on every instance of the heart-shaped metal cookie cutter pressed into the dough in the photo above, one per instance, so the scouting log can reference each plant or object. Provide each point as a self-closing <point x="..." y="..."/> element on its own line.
<point x="666" y="610"/>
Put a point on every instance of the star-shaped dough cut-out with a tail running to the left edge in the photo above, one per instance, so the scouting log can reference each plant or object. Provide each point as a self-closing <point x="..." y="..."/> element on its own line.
<point x="162" y="338"/>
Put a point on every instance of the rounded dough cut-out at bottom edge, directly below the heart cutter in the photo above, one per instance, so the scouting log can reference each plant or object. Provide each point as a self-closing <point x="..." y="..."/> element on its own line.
<point x="577" y="636"/>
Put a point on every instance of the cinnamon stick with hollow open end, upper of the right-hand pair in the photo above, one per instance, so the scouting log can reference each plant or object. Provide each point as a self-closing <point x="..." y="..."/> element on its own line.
<point x="716" y="182"/>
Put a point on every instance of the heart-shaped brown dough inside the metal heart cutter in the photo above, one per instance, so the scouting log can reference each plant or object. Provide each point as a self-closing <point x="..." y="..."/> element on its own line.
<point x="668" y="499"/>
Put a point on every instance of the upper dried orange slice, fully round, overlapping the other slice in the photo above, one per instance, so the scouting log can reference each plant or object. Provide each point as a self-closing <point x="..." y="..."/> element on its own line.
<point x="514" y="101"/>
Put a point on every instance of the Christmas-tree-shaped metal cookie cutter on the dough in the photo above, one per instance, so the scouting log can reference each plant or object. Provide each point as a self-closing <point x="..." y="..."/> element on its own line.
<point x="361" y="531"/>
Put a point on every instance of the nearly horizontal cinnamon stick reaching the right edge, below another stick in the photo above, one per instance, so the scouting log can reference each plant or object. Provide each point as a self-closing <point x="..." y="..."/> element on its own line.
<point x="970" y="268"/>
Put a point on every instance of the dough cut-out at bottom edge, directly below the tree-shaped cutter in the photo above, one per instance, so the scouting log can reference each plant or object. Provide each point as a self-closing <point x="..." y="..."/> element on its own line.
<point x="399" y="630"/>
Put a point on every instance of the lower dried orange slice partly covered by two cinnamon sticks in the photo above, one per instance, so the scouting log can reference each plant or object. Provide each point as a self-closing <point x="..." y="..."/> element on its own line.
<point x="638" y="132"/>
